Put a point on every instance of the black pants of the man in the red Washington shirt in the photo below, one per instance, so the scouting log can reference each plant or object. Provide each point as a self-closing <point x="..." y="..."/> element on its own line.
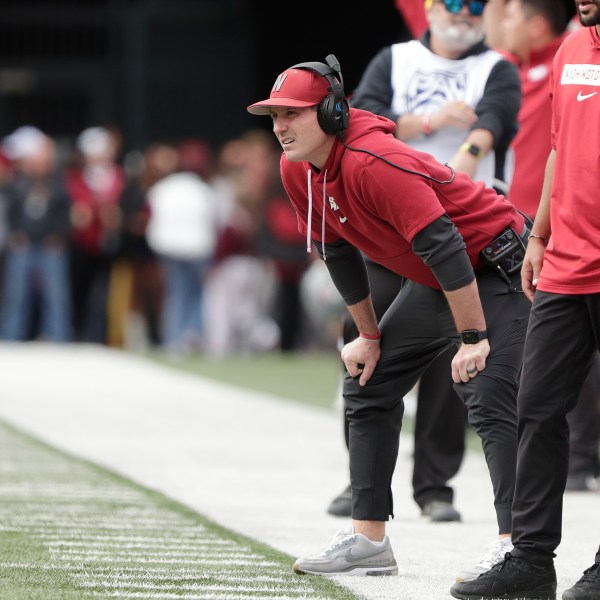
<point x="562" y="339"/>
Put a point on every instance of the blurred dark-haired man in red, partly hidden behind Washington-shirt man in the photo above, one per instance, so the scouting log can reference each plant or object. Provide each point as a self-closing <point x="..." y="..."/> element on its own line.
<point x="531" y="31"/>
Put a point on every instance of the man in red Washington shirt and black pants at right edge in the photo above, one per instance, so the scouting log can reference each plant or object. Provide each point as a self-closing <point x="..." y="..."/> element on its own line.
<point x="561" y="274"/>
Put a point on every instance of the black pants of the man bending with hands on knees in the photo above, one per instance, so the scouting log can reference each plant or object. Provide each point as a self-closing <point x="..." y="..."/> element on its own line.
<point x="416" y="329"/>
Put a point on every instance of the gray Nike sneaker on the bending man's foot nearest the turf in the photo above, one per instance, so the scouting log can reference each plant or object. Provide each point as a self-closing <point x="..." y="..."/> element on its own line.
<point x="350" y="553"/>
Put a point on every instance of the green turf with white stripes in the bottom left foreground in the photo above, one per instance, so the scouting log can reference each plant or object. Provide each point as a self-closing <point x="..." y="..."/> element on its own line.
<point x="70" y="530"/>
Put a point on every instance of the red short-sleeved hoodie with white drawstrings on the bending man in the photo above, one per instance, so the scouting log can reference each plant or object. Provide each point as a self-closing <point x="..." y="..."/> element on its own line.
<point x="379" y="208"/>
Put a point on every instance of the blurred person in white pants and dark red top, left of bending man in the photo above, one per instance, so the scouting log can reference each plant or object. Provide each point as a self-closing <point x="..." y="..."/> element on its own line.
<point x="242" y="284"/>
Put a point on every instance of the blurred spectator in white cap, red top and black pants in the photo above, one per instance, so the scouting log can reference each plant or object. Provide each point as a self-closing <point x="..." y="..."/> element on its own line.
<point x="95" y="184"/>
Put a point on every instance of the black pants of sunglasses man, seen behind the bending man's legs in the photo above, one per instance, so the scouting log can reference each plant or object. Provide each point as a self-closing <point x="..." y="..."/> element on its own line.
<point x="439" y="438"/>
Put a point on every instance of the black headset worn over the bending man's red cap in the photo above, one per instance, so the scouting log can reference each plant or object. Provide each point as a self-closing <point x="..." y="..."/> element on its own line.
<point x="333" y="112"/>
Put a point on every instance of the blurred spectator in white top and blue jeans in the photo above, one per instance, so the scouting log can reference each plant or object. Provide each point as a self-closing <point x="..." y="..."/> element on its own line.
<point x="182" y="230"/>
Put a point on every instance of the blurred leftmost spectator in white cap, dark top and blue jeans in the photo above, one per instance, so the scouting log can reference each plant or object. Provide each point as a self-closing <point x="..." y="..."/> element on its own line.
<point x="36" y="273"/>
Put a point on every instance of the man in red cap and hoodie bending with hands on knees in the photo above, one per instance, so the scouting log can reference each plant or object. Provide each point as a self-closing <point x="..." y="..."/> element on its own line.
<point x="356" y="188"/>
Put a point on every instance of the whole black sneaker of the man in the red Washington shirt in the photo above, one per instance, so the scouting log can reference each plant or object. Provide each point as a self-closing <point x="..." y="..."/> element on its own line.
<point x="512" y="578"/>
